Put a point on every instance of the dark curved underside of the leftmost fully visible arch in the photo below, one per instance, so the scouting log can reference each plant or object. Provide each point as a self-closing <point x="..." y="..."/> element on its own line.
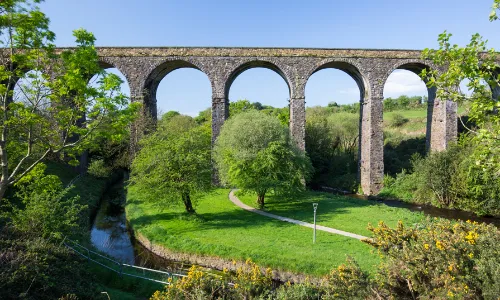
<point x="158" y="72"/>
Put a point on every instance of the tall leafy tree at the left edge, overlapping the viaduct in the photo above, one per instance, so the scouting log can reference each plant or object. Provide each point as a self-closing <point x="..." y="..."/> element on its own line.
<point x="55" y="111"/>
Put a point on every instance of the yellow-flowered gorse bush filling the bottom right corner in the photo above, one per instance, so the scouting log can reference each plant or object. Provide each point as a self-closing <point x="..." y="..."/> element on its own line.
<point x="438" y="259"/>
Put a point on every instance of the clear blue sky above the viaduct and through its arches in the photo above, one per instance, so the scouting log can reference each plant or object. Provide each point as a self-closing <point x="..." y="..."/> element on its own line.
<point x="324" y="24"/>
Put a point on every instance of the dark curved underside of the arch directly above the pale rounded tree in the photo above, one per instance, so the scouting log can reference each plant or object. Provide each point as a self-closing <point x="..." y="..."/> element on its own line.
<point x="257" y="63"/>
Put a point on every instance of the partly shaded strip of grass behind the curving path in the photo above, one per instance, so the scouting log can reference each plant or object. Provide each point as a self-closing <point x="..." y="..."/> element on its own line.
<point x="339" y="212"/>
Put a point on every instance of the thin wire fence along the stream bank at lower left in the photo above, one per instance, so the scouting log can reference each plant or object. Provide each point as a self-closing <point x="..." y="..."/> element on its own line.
<point x="121" y="268"/>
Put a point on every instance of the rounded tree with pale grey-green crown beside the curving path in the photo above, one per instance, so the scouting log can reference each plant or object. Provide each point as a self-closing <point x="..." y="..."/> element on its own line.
<point x="254" y="152"/>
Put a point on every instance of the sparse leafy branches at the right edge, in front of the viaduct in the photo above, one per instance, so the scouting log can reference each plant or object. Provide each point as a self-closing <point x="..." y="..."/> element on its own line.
<point x="478" y="65"/>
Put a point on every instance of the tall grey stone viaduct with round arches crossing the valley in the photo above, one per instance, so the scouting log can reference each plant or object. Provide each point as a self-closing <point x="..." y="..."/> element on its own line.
<point x="145" y="67"/>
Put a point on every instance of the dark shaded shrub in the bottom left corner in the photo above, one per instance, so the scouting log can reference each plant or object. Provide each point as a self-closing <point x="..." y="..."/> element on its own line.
<point x="40" y="268"/>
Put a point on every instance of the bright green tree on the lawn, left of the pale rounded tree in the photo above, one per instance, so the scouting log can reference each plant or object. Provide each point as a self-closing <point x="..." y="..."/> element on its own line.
<point x="174" y="163"/>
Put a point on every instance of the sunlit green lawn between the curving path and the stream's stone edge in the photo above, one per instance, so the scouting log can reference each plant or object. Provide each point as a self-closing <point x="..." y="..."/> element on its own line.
<point x="224" y="230"/>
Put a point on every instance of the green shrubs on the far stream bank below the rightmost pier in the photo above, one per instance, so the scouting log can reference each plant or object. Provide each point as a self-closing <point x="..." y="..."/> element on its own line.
<point x="450" y="179"/>
